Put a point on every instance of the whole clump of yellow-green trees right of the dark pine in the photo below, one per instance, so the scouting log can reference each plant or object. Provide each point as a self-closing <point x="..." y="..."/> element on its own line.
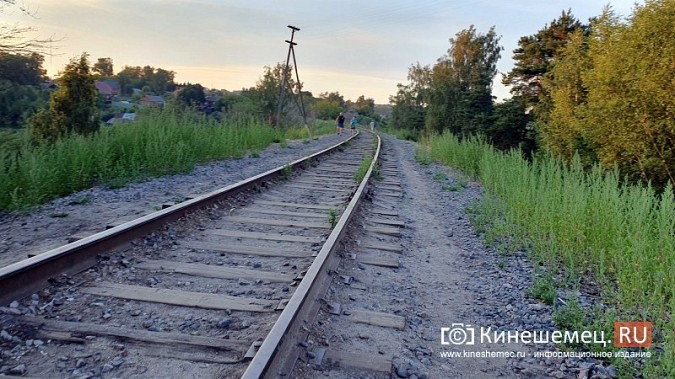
<point x="612" y="94"/>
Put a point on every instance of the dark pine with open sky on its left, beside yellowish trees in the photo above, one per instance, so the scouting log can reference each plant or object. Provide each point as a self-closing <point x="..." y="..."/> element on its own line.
<point x="533" y="59"/>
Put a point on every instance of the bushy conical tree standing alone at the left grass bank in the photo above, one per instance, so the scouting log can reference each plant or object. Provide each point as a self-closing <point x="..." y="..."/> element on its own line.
<point x="72" y="108"/>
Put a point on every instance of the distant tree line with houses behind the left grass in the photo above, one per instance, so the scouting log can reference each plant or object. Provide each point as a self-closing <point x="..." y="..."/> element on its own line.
<point x="72" y="104"/>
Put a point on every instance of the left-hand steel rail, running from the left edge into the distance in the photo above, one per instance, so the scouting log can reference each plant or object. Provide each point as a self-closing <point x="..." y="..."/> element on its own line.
<point x="23" y="278"/>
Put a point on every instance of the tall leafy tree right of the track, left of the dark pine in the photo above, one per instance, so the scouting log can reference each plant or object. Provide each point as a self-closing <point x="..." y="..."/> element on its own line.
<point x="460" y="96"/>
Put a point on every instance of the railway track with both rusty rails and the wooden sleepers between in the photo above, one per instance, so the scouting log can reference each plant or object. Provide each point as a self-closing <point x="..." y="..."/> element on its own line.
<point x="225" y="284"/>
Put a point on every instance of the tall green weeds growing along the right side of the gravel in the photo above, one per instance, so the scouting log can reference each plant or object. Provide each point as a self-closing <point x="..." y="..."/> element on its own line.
<point x="588" y="226"/>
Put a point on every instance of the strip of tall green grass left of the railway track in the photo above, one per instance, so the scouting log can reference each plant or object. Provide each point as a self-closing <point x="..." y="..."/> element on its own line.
<point x="159" y="143"/>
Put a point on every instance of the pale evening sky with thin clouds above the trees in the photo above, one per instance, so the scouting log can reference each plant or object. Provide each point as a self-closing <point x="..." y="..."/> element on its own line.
<point x="354" y="47"/>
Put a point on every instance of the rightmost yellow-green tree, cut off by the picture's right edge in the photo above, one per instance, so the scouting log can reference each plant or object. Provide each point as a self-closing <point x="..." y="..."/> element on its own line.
<point x="631" y="96"/>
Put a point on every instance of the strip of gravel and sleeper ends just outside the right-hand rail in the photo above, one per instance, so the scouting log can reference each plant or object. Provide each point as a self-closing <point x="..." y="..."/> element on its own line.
<point x="354" y="332"/>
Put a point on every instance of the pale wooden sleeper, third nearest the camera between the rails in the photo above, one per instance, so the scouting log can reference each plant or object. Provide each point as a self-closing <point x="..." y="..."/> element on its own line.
<point x="209" y="271"/>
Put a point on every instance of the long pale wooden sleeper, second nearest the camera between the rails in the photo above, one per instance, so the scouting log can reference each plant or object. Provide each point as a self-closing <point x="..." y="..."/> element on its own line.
<point x="181" y="298"/>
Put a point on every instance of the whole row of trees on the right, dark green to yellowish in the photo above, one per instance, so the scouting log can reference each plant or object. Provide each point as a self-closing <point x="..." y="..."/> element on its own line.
<point x="601" y="90"/>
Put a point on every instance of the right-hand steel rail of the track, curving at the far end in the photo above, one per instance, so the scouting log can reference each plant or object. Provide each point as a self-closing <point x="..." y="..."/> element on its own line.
<point x="278" y="353"/>
